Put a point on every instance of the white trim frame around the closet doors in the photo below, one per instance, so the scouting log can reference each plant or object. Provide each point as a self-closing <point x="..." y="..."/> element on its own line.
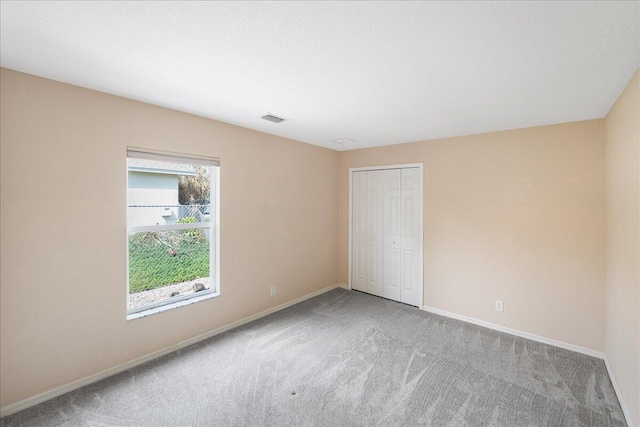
<point x="420" y="167"/>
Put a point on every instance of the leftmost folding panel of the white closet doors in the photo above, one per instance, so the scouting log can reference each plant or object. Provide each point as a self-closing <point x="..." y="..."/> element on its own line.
<point x="359" y="231"/>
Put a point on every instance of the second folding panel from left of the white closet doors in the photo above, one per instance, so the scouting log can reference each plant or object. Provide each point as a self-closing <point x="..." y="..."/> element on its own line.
<point x="373" y="219"/>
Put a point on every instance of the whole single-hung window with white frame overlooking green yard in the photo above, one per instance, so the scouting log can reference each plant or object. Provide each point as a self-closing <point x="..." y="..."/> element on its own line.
<point x="172" y="230"/>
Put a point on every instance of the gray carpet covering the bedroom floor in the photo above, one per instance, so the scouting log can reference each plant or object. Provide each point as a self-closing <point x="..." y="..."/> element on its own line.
<point x="347" y="358"/>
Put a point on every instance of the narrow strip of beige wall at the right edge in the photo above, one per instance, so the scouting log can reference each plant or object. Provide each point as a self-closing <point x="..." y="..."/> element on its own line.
<point x="623" y="244"/>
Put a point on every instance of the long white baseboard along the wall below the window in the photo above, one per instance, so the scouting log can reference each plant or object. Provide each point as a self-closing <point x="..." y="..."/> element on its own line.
<point x="59" y="391"/>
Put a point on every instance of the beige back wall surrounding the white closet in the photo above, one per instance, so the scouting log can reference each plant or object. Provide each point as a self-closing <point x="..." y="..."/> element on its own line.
<point x="516" y="216"/>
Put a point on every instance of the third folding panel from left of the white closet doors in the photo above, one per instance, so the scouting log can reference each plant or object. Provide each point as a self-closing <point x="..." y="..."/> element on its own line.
<point x="392" y="238"/>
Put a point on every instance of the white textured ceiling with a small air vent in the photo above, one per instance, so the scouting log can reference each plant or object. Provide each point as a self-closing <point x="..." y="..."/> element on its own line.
<point x="378" y="73"/>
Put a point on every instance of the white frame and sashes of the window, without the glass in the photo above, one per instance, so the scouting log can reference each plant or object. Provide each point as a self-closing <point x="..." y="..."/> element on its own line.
<point x="213" y="227"/>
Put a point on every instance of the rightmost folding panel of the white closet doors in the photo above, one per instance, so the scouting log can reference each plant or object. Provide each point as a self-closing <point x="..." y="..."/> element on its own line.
<point x="409" y="245"/>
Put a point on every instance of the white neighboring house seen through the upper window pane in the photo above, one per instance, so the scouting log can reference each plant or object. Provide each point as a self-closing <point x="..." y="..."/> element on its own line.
<point x="153" y="191"/>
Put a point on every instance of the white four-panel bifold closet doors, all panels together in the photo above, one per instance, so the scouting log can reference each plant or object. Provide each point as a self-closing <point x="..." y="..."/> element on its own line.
<point x="386" y="233"/>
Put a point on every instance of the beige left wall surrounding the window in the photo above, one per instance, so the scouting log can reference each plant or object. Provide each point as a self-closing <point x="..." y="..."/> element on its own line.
<point x="63" y="170"/>
